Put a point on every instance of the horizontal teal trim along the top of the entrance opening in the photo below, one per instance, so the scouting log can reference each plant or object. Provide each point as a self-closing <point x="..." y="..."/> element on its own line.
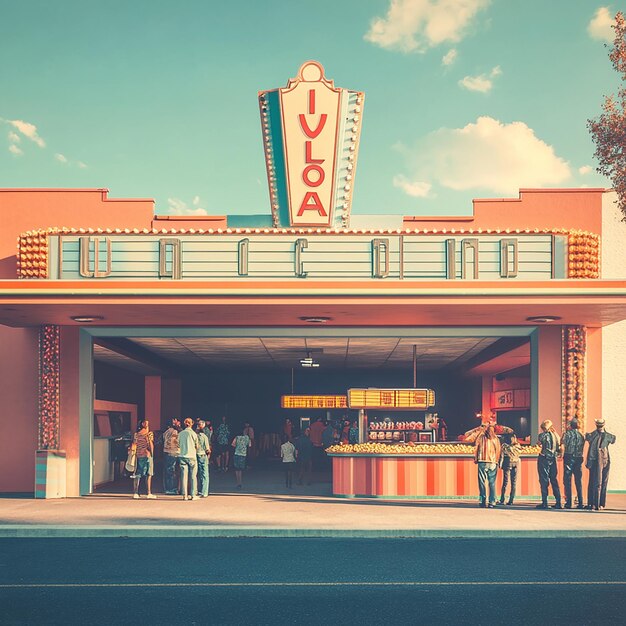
<point x="487" y="331"/>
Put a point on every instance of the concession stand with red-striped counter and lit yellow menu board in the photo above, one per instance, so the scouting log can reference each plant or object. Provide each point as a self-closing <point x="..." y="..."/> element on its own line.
<point x="390" y="466"/>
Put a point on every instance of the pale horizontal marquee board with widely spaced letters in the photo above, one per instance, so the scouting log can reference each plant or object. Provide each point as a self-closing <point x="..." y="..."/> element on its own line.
<point x="331" y="256"/>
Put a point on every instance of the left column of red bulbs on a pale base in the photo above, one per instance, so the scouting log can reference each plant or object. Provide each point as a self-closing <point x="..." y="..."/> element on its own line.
<point x="50" y="464"/>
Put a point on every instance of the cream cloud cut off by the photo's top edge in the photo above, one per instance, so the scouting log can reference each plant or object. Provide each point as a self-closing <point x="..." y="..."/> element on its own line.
<point x="416" y="25"/>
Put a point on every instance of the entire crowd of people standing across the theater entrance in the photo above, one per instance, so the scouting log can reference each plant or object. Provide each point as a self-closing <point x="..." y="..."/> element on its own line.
<point x="191" y="448"/>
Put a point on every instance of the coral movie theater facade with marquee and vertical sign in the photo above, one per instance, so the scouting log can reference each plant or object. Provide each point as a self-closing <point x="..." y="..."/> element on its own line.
<point x="518" y="309"/>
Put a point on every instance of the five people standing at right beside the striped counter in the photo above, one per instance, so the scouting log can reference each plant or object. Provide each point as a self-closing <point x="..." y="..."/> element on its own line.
<point x="490" y="454"/>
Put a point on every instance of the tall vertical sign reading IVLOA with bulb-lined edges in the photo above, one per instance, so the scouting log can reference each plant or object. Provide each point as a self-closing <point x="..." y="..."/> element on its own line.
<point x="311" y="133"/>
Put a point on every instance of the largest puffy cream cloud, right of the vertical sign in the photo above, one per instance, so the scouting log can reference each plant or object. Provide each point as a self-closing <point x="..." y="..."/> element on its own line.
<point x="488" y="155"/>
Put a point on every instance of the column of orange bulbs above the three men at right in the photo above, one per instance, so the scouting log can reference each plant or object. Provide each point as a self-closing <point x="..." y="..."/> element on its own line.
<point x="574" y="375"/>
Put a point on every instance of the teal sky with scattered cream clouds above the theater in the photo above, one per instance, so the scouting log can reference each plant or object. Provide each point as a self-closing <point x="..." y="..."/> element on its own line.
<point x="158" y="99"/>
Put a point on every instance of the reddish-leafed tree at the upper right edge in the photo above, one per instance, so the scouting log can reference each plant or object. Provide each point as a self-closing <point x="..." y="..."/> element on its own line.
<point x="609" y="129"/>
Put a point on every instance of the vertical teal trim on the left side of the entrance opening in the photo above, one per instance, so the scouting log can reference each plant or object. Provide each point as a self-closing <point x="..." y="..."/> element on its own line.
<point x="85" y="401"/>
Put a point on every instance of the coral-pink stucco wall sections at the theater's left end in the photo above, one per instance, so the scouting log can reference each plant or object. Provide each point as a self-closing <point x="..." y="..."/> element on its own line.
<point x="28" y="209"/>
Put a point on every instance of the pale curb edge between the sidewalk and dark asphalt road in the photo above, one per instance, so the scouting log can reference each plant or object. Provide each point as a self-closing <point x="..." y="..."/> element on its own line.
<point x="231" y="532"/>
